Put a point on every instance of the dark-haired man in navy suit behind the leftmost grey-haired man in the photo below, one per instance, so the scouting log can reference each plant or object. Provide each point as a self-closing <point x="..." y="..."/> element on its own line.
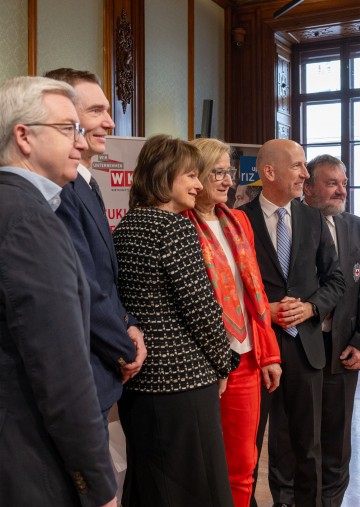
<point x="117" y="346"/>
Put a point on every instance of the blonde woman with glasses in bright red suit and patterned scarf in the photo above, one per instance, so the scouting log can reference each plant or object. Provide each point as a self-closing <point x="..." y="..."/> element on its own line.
<point x="227" y="243"/>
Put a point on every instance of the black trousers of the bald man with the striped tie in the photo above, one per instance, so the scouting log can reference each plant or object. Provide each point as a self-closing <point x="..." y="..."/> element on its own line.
<point x="301" y="398"/>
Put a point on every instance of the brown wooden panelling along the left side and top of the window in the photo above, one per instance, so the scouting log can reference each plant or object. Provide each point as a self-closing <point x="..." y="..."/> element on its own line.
<point x="257" y="90"/>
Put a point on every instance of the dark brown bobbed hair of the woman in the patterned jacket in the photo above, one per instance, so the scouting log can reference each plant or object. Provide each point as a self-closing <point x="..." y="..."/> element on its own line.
<point x="160" y="160"/>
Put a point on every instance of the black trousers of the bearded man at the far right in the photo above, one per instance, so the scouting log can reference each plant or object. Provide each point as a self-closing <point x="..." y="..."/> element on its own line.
<point x="337" y="407"/>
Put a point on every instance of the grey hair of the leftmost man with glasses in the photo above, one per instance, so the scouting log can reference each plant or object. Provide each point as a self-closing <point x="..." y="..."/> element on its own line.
<point x="21" y="101"/>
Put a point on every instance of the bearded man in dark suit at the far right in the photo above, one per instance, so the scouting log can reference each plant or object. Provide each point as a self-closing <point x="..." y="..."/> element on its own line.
<point x="326" y="191"/>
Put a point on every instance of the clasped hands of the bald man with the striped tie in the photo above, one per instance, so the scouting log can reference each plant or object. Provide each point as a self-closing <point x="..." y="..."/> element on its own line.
<point x="290" y="312"/>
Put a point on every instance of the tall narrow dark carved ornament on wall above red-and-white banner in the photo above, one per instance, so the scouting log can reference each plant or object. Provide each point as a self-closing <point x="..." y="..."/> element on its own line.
<point x="124" y="57"/>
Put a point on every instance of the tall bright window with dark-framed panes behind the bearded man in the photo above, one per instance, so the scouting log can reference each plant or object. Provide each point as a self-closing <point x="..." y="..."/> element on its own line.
<point x="326" y="106"/>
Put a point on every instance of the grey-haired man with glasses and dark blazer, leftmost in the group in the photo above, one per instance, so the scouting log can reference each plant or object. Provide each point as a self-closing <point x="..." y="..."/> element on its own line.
<point x="53" y="445"/>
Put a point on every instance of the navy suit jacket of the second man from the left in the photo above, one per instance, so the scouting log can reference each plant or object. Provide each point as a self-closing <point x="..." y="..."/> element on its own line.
<point x="109" y="340"/>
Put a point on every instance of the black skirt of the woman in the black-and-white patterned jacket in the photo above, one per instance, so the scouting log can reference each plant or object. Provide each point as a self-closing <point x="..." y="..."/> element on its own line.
<point x="175" y="450"/>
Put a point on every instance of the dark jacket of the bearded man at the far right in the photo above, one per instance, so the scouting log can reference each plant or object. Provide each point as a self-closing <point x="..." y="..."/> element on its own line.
<point x="346" y="318"/>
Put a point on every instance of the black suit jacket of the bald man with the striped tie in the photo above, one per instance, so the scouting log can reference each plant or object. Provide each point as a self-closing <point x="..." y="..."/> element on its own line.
<point x="314" y="273"/>
